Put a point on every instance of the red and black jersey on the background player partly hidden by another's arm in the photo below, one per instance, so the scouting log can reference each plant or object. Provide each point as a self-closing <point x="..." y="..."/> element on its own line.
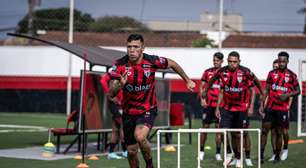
<point x="214" y="90"/>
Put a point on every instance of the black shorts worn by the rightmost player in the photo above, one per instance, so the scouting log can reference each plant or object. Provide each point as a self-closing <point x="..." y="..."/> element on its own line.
<point x="278" y="118"/>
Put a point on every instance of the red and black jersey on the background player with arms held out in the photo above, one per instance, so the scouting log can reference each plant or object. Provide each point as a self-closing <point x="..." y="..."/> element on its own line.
<point x="235" y="86"/>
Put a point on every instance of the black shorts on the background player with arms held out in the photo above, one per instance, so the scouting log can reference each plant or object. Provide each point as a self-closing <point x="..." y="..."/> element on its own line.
<point x="237" y="119"/>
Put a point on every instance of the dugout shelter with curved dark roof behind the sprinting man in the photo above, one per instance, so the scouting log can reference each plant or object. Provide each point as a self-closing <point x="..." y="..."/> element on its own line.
<point x="97" y="118"/>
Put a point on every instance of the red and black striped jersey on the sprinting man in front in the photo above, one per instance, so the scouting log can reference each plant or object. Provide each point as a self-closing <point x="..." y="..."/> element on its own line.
<point x="139" y="93"/>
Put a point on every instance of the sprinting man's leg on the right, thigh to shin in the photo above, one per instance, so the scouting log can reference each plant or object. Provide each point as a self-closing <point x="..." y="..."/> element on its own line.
<point x="144" y="124"/>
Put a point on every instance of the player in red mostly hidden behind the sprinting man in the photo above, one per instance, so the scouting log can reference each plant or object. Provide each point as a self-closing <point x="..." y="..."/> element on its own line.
<point x="114" y="107"/>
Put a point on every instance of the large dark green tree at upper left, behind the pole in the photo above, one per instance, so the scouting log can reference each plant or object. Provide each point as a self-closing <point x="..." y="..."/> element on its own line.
<point x="55" y="19"/>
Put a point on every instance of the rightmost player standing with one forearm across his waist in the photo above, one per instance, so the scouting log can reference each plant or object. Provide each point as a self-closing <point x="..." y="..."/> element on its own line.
<point x="282" y="84"/>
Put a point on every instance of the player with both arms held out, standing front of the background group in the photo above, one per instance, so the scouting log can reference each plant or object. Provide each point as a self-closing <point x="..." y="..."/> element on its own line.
<point x="235" y="82"/>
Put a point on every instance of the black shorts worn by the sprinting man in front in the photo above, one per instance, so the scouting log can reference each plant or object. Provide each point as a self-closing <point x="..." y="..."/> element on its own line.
<point x="131" y="121"/>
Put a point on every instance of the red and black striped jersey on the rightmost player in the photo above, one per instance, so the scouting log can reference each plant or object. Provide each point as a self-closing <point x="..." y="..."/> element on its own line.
<point x="281" y="82"/>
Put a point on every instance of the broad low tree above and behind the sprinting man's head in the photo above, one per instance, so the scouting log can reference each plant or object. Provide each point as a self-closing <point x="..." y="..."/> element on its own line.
<point x="116" y="23"/>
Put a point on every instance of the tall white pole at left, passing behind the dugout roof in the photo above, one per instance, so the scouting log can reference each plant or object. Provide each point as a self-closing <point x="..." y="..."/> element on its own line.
<point x="70" y="40"/>
